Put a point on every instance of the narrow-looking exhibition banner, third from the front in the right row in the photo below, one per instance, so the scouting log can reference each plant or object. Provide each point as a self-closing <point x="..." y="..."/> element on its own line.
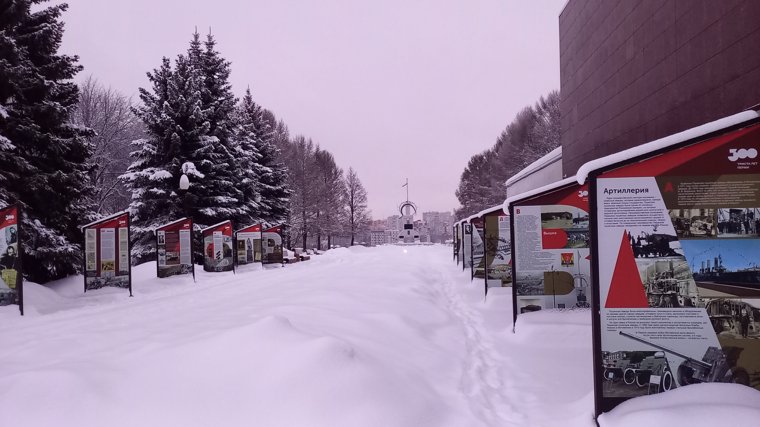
<point x="498" y="249"/>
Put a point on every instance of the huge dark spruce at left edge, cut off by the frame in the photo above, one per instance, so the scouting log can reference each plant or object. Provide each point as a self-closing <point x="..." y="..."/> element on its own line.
<point x="44" y="157"/>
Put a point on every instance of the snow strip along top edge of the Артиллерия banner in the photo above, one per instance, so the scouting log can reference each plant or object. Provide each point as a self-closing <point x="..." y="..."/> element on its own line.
<point x="668" y="141"/>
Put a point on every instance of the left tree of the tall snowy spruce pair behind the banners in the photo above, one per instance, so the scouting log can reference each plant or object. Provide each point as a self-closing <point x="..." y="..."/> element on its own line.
<point x="177" y="133"/>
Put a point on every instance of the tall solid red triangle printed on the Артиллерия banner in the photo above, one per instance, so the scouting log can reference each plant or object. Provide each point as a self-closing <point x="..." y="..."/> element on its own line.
<point x="626" y="289"/>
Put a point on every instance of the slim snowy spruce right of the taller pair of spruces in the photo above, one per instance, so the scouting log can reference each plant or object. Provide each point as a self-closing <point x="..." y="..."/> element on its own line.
<point x="263" y="158"/>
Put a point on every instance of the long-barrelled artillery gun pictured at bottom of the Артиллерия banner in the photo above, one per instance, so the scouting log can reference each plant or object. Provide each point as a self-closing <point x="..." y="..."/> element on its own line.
<point x="715" y="366"/>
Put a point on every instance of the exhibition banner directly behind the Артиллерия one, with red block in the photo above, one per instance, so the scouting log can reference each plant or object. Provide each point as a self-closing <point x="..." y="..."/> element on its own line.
<point x="551" y="249"/>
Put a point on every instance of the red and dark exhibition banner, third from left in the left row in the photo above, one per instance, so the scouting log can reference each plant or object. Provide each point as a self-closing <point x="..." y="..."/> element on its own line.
<point x="174" y="248"/>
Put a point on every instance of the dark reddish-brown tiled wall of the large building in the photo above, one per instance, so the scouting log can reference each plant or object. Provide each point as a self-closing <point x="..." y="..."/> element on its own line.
<point x="637" y="70"/>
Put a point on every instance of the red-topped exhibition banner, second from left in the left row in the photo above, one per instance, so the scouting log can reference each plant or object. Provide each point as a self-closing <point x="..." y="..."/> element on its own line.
<point x="107" y="253"/>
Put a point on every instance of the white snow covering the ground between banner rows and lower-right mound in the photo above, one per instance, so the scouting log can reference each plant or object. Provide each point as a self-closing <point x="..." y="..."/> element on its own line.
<point x="389" y="336"/>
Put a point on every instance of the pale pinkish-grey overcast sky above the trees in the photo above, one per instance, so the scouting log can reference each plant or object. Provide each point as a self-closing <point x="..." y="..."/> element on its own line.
<point x="393" y="88"/>
